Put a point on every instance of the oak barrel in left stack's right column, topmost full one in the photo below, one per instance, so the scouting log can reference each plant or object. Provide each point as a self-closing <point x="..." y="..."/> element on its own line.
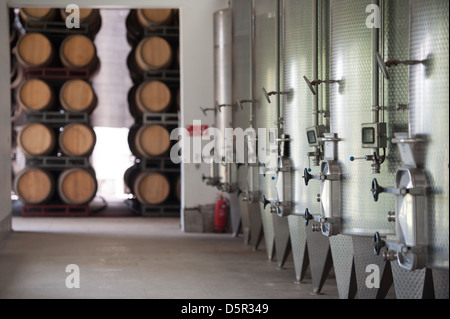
<point x="78" y="51"/>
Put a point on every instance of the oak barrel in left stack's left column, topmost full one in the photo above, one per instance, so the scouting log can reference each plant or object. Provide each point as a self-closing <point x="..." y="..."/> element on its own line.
<point x="34" y="50"/>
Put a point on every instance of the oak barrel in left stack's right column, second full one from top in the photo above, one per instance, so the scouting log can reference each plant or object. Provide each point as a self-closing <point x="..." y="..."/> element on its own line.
<point x="77" y="96"/>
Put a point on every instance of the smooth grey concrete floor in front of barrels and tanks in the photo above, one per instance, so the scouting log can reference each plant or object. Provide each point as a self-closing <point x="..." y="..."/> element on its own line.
<point x="140" y="258"/>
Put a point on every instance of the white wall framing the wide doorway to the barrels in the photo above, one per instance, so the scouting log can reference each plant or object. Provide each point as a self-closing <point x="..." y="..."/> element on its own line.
<point x="197" y="88"/>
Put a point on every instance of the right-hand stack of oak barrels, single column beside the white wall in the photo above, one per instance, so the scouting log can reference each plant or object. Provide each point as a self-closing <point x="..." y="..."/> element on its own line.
<point x="153" y="101"/>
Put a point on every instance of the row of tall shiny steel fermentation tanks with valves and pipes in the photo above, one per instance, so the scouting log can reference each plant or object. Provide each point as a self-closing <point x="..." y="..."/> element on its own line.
<point x="344" y="105"/>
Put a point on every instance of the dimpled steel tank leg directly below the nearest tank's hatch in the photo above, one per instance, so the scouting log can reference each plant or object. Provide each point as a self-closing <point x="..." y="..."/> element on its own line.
<point x="416" y="284"/>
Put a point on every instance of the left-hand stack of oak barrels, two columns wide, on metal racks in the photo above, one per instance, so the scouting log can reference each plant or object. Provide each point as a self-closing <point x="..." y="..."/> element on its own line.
<point x="56" y="98"/>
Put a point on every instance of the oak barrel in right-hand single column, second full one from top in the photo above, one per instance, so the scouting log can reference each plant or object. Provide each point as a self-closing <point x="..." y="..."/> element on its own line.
<point x="153" y="96"/>
